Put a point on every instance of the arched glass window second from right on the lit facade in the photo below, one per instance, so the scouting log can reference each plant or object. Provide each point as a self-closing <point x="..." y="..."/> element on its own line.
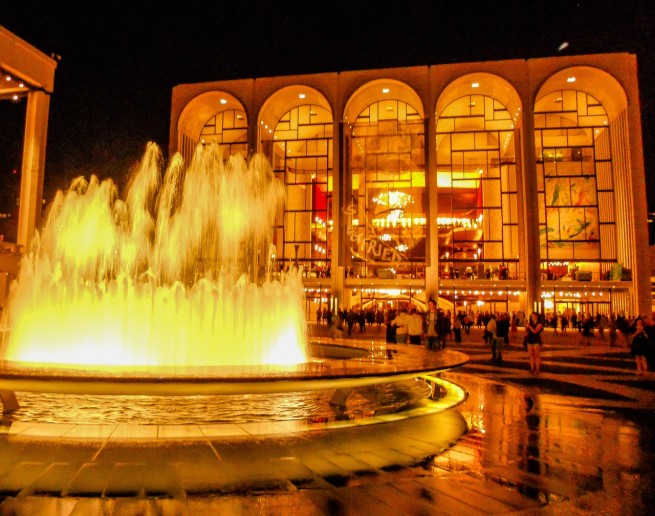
<point x="478" y="219"/>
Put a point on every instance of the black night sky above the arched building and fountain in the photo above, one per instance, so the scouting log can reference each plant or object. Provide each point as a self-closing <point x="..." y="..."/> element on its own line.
<point x="118" y="65"/>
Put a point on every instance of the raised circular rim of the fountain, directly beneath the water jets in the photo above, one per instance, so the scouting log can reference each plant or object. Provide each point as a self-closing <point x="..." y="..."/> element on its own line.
<point x="409" y="361"/>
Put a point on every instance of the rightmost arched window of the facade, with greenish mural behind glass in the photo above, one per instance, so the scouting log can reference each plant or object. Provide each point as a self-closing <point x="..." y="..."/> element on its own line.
<point x="575" y="185"/>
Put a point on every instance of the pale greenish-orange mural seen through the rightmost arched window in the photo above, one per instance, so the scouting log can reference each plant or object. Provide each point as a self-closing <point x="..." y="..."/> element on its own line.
<point x="571" y="213"/>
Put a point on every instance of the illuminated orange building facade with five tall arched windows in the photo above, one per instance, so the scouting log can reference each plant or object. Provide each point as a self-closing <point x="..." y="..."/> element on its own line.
<point x="506" y="185"/>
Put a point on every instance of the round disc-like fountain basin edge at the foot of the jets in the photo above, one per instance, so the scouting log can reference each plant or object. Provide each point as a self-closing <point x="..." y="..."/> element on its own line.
<point x="369" y="365"/>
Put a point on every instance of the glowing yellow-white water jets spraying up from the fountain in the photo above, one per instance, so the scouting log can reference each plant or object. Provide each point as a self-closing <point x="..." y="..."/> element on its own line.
<point x="176" y="277"/>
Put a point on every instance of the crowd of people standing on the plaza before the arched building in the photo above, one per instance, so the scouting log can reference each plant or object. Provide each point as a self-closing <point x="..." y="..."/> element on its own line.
<point x="435" y="328"/>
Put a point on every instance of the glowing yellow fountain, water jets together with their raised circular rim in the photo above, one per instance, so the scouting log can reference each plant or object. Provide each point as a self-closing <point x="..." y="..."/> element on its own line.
<point x="174" y="291"/>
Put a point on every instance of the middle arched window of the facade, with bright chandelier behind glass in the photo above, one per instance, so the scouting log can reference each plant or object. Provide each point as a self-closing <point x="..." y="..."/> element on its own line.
<point x="387" y="208"/>
